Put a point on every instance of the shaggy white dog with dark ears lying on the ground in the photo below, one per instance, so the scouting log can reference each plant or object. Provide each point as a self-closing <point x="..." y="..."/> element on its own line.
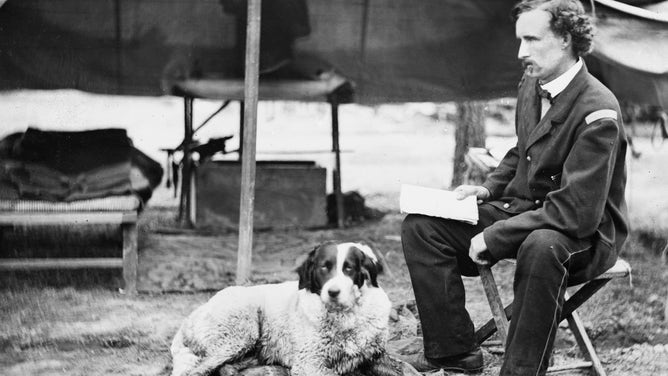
<point x="333" y="321"/>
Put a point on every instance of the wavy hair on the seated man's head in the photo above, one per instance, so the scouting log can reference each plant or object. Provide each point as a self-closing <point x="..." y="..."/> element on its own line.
<point x="568" y="17"/>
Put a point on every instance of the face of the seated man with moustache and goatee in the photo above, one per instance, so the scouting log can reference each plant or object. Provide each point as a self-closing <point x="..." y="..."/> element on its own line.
<point x="544" y="54"/>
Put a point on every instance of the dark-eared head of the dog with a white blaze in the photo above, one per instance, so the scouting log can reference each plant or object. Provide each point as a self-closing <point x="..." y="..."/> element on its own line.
<point x="337" y="271"/>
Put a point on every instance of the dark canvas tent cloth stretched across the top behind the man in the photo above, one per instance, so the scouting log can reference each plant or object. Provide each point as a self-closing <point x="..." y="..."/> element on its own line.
<point x="394" y="51"/>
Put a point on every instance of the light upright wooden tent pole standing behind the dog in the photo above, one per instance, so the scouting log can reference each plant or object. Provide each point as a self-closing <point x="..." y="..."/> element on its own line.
<point x="251" y="81"/>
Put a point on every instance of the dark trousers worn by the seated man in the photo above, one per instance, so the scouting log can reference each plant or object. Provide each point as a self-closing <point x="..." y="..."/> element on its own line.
<point x="436" y="252"/>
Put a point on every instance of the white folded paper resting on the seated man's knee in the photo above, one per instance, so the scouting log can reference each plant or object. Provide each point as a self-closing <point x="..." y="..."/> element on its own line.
<point x="437" y="203"/>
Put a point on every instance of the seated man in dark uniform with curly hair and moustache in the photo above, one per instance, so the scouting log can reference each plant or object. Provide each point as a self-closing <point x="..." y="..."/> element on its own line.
<point x="555" y="203"/>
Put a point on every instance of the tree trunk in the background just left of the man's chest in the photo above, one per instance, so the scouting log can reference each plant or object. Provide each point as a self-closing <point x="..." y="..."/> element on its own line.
<point x="470" y="132"/>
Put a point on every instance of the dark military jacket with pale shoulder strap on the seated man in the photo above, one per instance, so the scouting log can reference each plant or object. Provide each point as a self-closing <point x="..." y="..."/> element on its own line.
<point x="566" y="173"/>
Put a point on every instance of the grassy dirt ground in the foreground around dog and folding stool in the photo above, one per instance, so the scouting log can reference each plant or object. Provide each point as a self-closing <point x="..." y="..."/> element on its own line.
<point x="78" y="324"/>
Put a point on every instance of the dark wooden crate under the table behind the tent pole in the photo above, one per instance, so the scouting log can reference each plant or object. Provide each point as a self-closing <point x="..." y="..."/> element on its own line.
<point x="287" y="195"/>
